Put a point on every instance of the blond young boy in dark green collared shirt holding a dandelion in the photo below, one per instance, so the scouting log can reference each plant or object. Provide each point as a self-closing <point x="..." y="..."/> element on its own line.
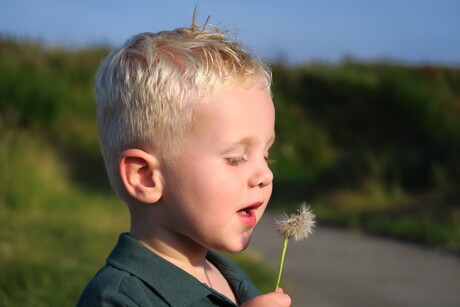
<point x="186" y="121"/>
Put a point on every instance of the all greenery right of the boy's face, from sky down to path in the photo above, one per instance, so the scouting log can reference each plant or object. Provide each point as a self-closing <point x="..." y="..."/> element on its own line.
<point x="374" y="146"/>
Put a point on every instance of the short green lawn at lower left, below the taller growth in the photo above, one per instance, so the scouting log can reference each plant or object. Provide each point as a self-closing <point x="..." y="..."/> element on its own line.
<point x="49" y="255"/>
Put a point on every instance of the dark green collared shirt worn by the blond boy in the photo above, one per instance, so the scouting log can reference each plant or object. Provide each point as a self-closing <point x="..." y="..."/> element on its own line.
<point x="136" y="276"/>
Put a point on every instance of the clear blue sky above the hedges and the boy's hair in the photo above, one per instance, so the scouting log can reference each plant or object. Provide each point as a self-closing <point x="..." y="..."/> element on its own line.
<point x="414" y="31"/>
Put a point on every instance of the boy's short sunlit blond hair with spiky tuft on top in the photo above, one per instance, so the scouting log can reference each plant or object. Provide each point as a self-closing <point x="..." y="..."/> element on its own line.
<point x="148" y="91"/>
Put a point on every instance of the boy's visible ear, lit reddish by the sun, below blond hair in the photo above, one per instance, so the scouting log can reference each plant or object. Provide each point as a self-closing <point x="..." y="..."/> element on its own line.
<point x="141" y="176"/>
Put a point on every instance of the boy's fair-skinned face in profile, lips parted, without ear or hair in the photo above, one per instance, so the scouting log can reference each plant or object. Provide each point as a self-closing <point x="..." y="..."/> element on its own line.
<point x="218" y="190"/>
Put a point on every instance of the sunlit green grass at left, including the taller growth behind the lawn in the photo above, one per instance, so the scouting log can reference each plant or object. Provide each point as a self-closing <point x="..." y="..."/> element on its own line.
<point x="54" y="236"/>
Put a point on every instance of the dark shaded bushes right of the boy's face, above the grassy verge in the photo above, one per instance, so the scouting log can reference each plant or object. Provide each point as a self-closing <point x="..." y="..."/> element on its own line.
<point x="344" y="118"/>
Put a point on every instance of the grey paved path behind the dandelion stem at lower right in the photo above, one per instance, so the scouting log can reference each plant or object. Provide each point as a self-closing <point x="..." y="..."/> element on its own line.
<point x="338" y="268"/>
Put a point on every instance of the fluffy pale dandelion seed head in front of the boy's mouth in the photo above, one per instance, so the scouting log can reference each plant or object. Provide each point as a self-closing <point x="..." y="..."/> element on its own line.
<point x="297" y="226"/>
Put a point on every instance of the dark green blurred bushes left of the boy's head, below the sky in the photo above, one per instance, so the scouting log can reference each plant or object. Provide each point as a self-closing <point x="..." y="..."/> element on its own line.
<point x="51" y="90"/>
